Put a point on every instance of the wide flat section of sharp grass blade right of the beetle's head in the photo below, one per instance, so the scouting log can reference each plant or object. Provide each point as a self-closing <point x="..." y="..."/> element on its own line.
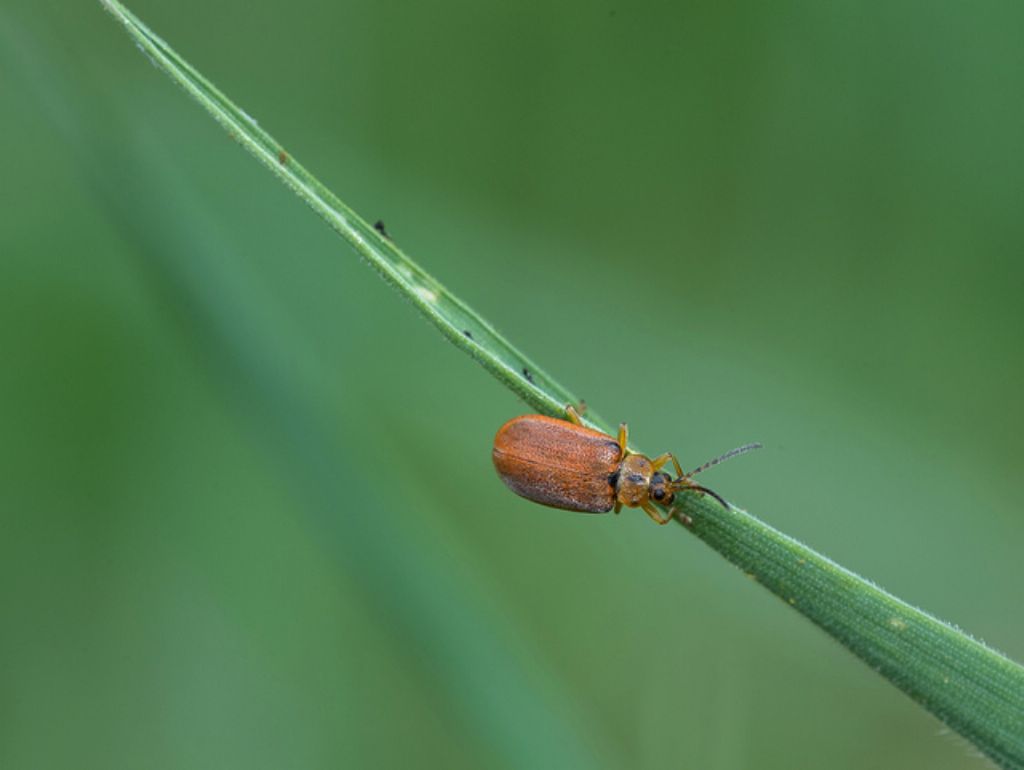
<point x="971" y="688"/>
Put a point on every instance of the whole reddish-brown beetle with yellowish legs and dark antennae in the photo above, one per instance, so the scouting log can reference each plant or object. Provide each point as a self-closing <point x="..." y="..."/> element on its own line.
<point x="564" y="464"/>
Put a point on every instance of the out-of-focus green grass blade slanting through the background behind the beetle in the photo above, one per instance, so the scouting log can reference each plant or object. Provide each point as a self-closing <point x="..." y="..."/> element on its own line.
<point x="409" y="580"/>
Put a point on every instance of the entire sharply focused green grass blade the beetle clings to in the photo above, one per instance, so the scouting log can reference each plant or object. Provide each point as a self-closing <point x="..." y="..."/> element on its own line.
<point x="972" y="689"/>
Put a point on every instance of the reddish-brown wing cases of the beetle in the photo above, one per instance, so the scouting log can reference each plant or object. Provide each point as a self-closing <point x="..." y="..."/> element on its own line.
<point x="558" y="464"/>
